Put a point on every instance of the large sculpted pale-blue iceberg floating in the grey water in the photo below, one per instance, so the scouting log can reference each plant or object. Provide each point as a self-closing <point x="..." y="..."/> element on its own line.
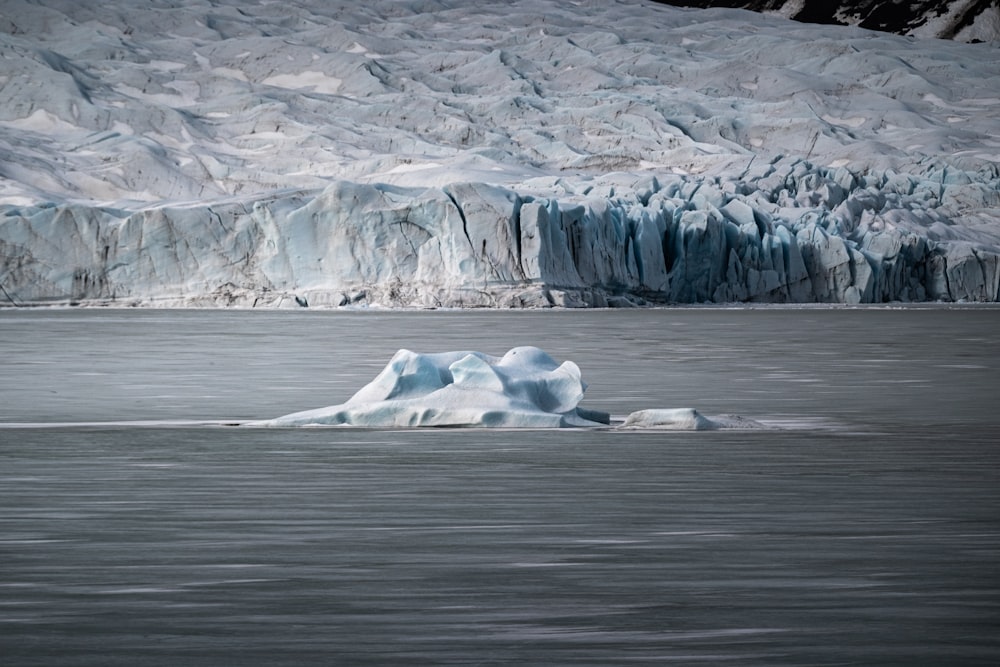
<point x="525" y="388"/>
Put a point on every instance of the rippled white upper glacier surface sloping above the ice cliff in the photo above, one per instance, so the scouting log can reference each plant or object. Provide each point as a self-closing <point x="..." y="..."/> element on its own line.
<point x="351" y="91"/>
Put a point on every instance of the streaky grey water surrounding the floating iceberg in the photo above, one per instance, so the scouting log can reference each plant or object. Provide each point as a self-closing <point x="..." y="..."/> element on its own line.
<point x="136" y="528"/>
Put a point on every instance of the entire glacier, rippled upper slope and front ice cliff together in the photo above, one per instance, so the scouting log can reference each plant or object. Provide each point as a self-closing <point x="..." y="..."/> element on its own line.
<point x="527" y="153"/>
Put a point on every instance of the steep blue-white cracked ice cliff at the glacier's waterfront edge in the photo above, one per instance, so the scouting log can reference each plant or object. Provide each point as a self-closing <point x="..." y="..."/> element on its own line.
<point x="782" y="232"/>
